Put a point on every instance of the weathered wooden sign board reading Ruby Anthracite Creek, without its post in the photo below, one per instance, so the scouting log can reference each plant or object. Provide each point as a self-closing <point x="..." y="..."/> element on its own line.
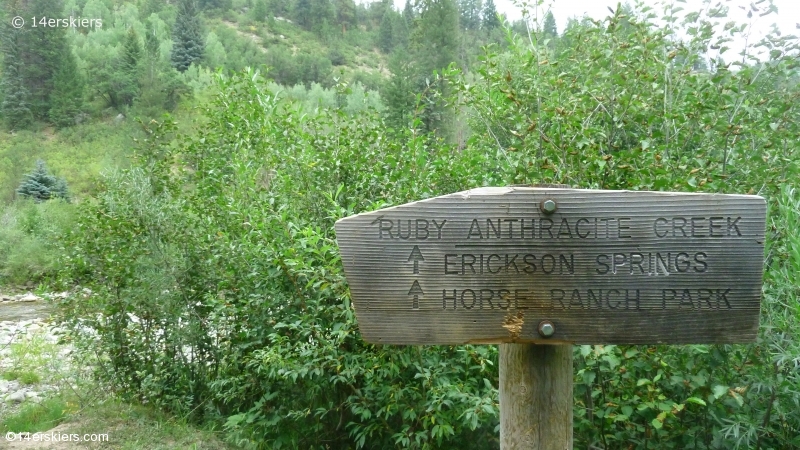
<point x="489" y="265"/>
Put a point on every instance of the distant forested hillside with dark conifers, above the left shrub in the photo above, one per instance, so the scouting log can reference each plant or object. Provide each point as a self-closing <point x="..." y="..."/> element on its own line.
<point x="139" y="59"/>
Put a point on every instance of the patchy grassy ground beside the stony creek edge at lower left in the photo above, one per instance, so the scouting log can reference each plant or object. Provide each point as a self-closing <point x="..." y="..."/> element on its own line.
<point x="82" y="406"/>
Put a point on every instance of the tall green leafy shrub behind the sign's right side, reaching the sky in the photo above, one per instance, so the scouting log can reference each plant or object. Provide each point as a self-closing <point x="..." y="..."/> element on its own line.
<point x="624" y="104"/>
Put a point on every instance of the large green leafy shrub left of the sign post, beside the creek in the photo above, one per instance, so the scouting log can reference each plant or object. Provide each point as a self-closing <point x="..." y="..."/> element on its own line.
<point x="218" y="290"/>
